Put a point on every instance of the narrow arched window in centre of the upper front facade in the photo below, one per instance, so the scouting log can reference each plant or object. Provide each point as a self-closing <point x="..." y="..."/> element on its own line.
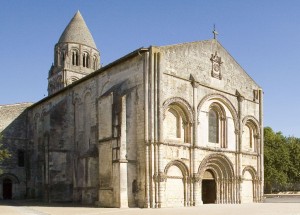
<point x="213" y="126"/>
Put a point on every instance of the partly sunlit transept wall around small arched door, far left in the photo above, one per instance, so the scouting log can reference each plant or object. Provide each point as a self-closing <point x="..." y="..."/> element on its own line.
<point x="13" y="128"/>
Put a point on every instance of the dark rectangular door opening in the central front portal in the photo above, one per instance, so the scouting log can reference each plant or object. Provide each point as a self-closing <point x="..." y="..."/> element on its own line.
<point x="208" y="191"/>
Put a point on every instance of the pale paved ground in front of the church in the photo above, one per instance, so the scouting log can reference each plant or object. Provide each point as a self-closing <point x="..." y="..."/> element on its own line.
<point x="290" y="207"/>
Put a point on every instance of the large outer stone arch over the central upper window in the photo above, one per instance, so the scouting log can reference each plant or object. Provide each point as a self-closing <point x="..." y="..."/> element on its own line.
<point x="223" y="100"/>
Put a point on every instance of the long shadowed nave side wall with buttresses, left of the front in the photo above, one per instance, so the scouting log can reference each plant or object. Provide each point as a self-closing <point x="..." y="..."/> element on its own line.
<point x="75" y="139"/>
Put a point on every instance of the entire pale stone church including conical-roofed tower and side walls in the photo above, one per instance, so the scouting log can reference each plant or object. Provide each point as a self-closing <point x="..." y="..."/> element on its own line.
<point x="164" y="126"/>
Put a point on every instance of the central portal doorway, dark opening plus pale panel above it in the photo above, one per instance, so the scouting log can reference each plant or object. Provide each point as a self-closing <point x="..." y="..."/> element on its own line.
<point x="209" y="192"/>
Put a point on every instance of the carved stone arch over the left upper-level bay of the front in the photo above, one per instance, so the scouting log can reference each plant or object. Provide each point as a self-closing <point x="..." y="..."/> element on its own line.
<point x="182" y="103"/>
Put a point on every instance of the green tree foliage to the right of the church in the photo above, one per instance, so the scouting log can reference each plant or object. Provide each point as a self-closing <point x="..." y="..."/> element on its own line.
<point x="281" y="161"/>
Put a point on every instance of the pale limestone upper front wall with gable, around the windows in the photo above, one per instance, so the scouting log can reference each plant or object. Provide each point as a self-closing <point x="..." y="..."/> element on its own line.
<point x="185" y="66"/>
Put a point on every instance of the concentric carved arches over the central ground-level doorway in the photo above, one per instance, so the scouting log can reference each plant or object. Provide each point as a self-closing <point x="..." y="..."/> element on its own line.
<point x="219" y="164"/>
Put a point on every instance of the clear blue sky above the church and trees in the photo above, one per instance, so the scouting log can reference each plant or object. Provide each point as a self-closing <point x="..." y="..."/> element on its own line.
<point x="263" y="36"/>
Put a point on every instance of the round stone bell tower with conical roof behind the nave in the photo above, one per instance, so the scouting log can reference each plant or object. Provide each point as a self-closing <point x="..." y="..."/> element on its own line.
<point x="75" y="55"/>
